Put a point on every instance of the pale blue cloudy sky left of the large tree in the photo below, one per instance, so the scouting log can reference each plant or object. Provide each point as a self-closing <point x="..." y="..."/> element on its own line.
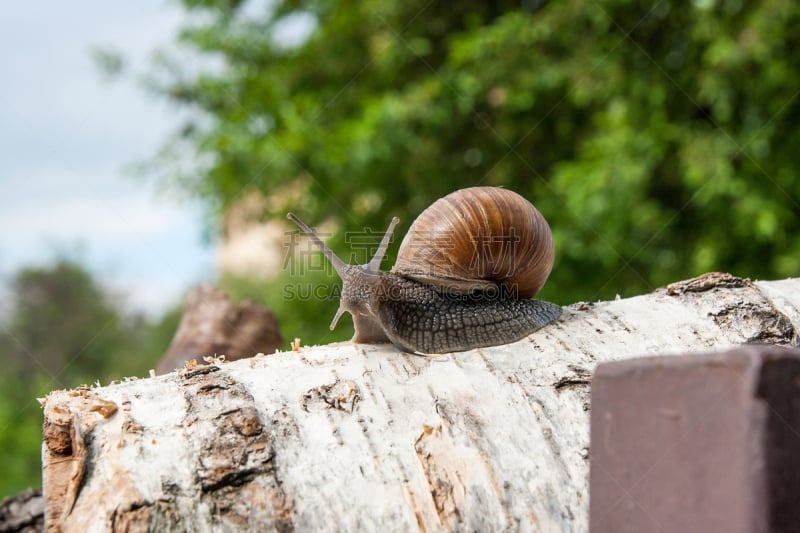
<point x="68" y="139"/>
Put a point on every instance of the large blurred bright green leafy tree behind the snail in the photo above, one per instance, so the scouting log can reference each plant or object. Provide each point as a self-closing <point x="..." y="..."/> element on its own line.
<point x="657" y="138"/>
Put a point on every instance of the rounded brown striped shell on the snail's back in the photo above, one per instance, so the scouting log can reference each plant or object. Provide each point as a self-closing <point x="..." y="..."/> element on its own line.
<point x="479" y="237"/>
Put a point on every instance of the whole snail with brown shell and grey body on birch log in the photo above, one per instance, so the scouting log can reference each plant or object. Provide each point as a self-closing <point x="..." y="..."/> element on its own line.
<point x="464" y="277"/>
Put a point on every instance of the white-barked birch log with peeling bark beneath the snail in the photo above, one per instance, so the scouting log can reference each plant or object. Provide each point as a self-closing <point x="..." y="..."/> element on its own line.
<point x="350" y="437"/>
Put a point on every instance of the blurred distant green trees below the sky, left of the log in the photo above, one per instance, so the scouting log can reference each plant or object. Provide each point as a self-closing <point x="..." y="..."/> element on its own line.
<point x="63" y="331"/>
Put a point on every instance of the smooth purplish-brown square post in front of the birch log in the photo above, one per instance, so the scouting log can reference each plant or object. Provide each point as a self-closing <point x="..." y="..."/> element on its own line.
<point x="700" y="443"/>
